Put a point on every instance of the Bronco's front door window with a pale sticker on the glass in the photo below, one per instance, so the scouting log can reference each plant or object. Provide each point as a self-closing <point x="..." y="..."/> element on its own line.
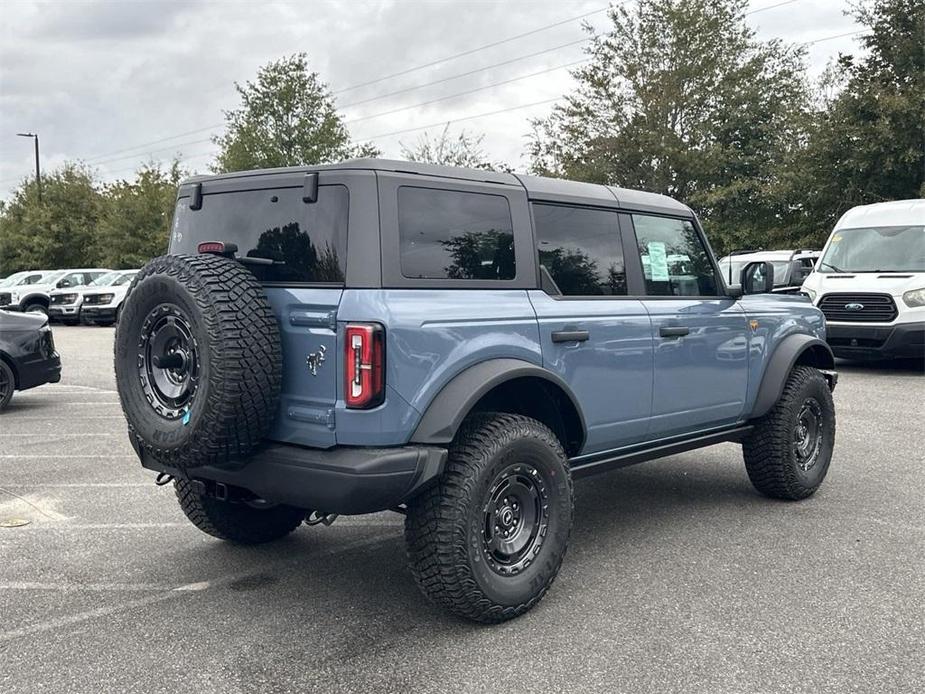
<point x="674" y="259"/>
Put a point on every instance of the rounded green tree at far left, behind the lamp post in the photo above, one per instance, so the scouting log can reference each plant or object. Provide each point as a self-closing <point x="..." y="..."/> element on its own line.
<point x="58" y="233"/>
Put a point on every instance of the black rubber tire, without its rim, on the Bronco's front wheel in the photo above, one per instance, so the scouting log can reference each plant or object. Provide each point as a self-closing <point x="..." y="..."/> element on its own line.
<point x="770" y="459"/>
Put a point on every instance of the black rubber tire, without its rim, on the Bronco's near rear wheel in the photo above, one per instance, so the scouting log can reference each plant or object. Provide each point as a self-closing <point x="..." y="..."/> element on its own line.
<point x="444" y="524"/>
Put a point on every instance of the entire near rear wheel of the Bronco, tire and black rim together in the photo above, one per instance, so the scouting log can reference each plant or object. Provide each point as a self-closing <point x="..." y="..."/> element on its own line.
<point x="487" y="541"/>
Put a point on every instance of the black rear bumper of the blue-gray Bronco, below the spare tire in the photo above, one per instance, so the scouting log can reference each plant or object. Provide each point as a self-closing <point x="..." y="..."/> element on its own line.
<point x="337" y="480"/>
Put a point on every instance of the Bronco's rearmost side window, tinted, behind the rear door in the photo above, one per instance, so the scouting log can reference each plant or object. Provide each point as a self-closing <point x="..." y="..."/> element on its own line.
<point x="449" y="234"/>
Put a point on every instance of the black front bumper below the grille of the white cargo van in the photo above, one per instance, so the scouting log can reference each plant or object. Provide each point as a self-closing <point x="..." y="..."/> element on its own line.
<point x="876" y="342"/>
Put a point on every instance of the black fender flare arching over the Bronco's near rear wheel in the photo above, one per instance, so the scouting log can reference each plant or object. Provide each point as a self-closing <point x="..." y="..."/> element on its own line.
<point x="446" y="411"/>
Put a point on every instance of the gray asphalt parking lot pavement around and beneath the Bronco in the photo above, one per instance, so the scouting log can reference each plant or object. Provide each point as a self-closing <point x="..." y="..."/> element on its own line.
<point x="679" y="576"/>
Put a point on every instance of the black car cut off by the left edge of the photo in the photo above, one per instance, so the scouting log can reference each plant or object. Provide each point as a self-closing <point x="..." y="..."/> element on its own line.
<point x="27" y="353"/>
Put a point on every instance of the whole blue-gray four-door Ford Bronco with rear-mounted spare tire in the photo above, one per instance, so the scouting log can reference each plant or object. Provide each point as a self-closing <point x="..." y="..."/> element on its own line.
<point x="456" y="346"/>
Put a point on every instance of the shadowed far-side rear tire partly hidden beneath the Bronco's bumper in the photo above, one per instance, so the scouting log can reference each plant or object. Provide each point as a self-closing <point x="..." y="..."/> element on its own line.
<point x="237" y="521"/>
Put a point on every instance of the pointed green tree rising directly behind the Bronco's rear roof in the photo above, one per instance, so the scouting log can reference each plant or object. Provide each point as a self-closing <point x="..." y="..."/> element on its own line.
<point x="287" y="117"/>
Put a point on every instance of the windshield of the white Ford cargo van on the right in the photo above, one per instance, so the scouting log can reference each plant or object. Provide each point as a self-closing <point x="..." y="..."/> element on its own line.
<point x="876" y="249"/>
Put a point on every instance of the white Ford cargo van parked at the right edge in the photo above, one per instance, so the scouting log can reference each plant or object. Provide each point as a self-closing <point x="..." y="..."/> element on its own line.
<point x="870" y="282"/>
